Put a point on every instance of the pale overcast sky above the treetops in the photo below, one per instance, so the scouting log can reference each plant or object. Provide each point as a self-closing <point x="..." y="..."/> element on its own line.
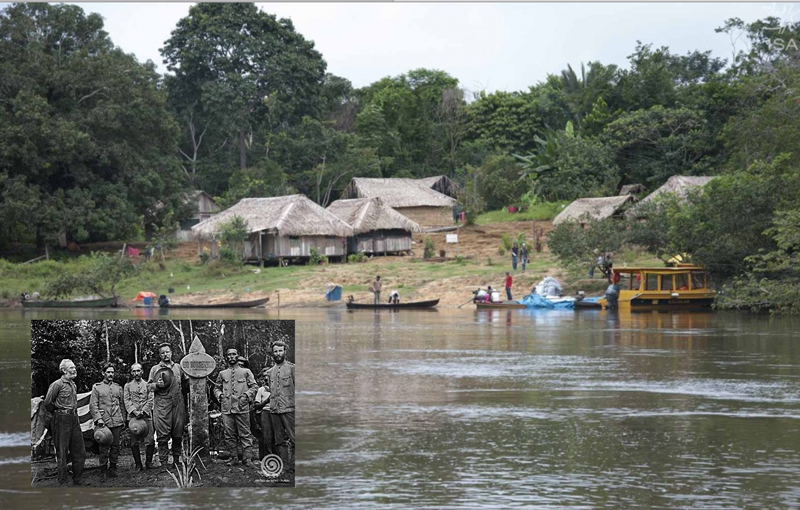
<point x="486" y="46"/>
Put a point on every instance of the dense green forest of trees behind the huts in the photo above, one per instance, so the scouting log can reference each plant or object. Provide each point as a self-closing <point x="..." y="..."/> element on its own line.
<point x="100" y="146"/>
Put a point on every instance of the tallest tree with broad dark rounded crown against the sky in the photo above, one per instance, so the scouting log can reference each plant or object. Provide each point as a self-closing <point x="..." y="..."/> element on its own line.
<point x="237" y="67"/>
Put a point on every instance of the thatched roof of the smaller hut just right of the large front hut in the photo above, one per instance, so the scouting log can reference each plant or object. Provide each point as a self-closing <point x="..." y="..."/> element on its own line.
<point x="370" y="214"/>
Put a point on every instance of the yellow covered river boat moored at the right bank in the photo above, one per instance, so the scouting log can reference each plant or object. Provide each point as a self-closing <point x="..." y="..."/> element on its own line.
<point x="684" y="286"/>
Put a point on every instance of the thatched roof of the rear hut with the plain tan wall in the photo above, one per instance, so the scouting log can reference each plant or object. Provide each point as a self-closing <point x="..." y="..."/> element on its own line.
<point x="397" y="192"/>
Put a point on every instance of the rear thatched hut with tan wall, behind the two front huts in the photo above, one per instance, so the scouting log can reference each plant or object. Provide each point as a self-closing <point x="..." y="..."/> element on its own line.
<point x="410" y="197"/>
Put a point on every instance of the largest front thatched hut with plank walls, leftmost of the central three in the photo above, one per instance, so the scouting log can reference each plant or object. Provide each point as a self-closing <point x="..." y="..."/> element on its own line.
<point x="281" y="227"/>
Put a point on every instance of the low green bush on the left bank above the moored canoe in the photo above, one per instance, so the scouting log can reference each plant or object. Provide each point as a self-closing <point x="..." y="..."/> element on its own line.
<point x="100" y="277"/>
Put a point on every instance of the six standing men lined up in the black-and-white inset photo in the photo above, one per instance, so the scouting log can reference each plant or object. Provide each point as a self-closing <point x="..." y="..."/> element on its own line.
<point x="159" y="403"/>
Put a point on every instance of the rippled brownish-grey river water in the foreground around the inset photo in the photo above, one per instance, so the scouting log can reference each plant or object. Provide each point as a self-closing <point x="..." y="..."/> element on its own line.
<point x="496" y="409"/>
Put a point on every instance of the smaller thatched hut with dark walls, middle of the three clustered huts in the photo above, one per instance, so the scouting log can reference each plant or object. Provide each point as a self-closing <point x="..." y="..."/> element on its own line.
<point x="377" y="227"/>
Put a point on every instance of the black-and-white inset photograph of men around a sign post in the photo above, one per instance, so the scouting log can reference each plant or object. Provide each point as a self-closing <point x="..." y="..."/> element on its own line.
<point x="162" y="403"/>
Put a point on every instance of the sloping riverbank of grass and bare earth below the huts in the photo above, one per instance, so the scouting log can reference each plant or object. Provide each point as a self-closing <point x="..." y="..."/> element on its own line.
<point x="474" y="262"/>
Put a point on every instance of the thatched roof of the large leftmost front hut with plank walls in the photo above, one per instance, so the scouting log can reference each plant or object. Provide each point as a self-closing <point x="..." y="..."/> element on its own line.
<point x="293" y="215"/>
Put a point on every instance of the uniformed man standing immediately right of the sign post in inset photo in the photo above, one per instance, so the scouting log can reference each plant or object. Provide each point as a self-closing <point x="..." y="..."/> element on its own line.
<point x="236" y="388"/>
